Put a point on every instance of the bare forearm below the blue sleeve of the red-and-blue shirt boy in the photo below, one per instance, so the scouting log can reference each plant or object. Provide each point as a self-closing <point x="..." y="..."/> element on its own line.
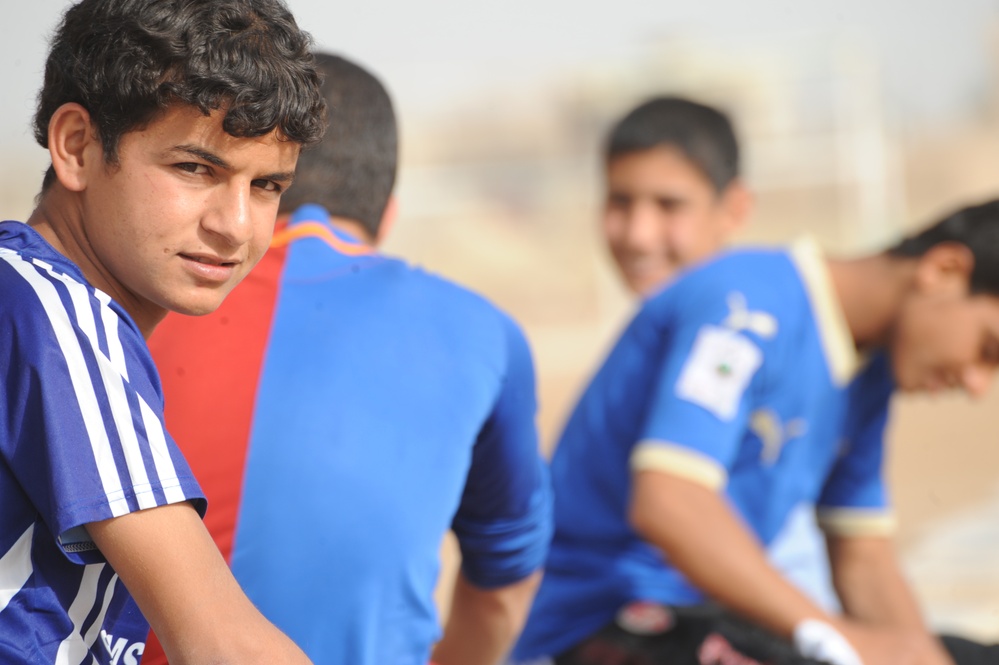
<point x="484" y="623"/>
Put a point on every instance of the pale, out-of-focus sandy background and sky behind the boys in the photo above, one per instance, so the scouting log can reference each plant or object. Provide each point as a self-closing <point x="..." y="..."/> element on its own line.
<point x="859" y="119"/>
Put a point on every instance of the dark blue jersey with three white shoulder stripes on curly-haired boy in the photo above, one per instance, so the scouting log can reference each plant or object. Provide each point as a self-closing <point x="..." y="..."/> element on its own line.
<point x="81" y="440"/>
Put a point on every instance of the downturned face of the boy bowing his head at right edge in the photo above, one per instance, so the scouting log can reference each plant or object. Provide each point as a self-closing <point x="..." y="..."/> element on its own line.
<point x="944" y="338"/>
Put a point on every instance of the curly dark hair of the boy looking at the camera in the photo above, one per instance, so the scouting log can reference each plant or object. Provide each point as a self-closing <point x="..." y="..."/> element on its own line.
<point x="125" y="61"/>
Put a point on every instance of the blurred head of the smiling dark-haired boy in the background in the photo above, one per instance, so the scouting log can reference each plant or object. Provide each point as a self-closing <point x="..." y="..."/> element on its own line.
<point x="674" y="193"/>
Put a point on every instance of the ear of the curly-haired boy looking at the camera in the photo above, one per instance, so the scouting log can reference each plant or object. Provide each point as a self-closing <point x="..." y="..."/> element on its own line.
<point x="72" y="143"/>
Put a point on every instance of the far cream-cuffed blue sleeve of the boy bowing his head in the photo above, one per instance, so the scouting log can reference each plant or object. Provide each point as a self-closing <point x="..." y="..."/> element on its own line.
<point x="854" y="500"/>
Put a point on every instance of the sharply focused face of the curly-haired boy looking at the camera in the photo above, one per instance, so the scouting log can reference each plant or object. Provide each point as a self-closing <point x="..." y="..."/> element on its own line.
<point x="185" y="213"/>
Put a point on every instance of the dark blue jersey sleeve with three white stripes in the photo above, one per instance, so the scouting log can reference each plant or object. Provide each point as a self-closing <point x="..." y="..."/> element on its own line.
<point x="82" y="428"/>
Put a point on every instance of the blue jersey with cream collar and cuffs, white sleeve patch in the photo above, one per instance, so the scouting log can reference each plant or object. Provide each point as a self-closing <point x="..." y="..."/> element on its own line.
<point x="742" y="376"/>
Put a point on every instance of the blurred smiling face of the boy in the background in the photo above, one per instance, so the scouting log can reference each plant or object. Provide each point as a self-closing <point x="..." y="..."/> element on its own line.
<point x="662" y="214"/>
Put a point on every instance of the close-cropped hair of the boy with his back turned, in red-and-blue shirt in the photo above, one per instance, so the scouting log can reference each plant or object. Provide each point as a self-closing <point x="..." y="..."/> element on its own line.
<point x="351" y="172"/>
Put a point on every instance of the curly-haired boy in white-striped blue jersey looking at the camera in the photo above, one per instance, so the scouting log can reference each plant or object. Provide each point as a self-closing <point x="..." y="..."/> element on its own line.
<point x="172" y="127"/>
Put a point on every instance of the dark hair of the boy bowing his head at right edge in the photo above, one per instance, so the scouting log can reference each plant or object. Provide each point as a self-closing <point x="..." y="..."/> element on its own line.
<point x="977" y="228"/>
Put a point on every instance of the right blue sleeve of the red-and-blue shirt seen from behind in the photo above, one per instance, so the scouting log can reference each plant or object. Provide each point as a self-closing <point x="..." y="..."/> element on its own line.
<point x="504" y="521"/>
